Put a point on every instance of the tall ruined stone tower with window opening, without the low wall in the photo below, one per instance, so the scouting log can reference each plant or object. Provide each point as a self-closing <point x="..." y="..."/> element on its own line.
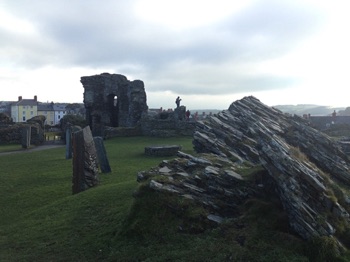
<point x="112" y="100"/>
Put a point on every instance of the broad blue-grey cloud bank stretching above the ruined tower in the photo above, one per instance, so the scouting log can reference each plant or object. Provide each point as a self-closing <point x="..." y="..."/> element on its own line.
<point x="106" y="34"/>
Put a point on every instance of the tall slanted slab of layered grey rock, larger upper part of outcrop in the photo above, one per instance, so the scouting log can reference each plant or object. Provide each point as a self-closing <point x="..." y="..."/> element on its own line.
<point x="303" y="162"/>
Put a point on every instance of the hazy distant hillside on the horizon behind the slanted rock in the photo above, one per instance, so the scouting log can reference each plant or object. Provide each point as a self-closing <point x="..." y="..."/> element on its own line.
<point x="314" y="110"/>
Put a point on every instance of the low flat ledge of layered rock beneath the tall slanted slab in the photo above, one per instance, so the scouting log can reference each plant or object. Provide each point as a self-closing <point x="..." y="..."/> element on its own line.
<point x="211" y="180"/>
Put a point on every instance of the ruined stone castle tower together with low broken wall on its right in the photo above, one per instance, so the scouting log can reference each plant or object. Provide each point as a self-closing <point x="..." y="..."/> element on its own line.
<point x="116" y="106"/>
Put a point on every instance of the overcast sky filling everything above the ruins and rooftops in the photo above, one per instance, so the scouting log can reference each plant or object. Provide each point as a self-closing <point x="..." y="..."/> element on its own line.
<point x="210" y="53"/>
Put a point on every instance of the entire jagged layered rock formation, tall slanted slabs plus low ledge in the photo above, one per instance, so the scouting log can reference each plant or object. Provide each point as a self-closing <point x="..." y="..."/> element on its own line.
<point x="308" y="171"/>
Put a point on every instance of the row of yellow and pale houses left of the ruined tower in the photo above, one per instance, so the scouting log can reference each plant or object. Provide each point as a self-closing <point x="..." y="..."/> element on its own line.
<point x="24" y="109"/>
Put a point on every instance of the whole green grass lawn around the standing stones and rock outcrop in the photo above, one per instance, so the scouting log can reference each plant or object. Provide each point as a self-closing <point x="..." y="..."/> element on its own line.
<point x="40" y="219"/>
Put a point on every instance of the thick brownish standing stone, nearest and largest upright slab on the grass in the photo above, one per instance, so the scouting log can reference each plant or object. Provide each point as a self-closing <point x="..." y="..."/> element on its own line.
<point x="85" y="168"/>
